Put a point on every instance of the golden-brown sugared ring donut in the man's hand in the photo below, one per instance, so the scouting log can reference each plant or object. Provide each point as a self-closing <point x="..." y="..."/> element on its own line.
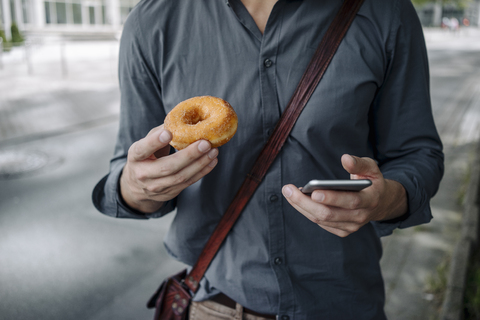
<point x="204" y="117"/>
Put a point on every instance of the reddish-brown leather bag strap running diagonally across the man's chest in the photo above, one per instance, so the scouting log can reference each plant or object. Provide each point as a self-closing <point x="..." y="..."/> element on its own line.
<point x="315" y="70"/>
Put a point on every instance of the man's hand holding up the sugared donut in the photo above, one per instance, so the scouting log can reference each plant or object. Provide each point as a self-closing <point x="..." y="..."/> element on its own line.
<point x="152" y="176"/>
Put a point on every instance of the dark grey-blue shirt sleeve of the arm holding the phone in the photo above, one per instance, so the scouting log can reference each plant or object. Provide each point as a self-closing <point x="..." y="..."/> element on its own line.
<point x="407" y="144"/>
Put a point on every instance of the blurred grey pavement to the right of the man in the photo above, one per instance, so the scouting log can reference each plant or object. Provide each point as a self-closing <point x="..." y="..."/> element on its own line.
<point x="412" y="255"/>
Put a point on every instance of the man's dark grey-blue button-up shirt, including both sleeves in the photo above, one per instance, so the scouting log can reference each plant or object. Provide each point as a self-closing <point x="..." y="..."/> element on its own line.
<point x="372" y="102"/>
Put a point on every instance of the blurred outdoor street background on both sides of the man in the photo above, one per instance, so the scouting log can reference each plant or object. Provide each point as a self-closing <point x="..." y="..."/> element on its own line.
<point x="59" y="104"/>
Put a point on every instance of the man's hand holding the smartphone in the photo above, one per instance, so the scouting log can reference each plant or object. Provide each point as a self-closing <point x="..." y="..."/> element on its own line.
<point x="343" y="213"/>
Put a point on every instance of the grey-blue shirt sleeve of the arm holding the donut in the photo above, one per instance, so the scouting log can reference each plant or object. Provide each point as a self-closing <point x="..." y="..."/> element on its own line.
<point x="141" y="109"/>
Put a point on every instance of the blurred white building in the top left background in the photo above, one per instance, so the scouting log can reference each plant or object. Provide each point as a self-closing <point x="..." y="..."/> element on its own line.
<point x="68" y="18"/>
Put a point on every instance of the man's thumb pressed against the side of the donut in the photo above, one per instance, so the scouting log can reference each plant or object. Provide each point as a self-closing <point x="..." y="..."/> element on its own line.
<point x="155" y="140"/>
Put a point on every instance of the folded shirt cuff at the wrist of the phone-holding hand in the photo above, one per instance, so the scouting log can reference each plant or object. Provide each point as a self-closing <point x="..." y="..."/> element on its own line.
<point x="419" y="210"/>
